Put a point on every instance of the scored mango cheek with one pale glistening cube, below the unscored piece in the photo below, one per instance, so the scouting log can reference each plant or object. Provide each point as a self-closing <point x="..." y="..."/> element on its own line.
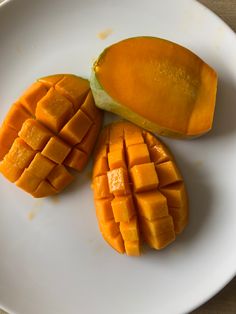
<point x="139" y="192"/>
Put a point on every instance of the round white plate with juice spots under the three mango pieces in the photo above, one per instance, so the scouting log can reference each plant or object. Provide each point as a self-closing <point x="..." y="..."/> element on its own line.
<point x="58" y="262"/>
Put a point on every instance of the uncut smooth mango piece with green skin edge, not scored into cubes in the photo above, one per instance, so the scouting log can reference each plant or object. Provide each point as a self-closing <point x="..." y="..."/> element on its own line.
<point x="156" y="84"/>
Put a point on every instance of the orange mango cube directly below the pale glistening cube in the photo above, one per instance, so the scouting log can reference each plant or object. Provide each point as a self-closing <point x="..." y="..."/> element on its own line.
<point x="123" y="208"/>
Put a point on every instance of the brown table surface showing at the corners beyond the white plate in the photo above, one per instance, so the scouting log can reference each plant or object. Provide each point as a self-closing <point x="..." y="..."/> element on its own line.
<point x="225" y="301"/>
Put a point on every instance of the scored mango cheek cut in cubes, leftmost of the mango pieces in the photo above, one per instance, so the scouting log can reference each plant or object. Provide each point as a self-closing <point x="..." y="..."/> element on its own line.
<point x="53" y="127"/>
